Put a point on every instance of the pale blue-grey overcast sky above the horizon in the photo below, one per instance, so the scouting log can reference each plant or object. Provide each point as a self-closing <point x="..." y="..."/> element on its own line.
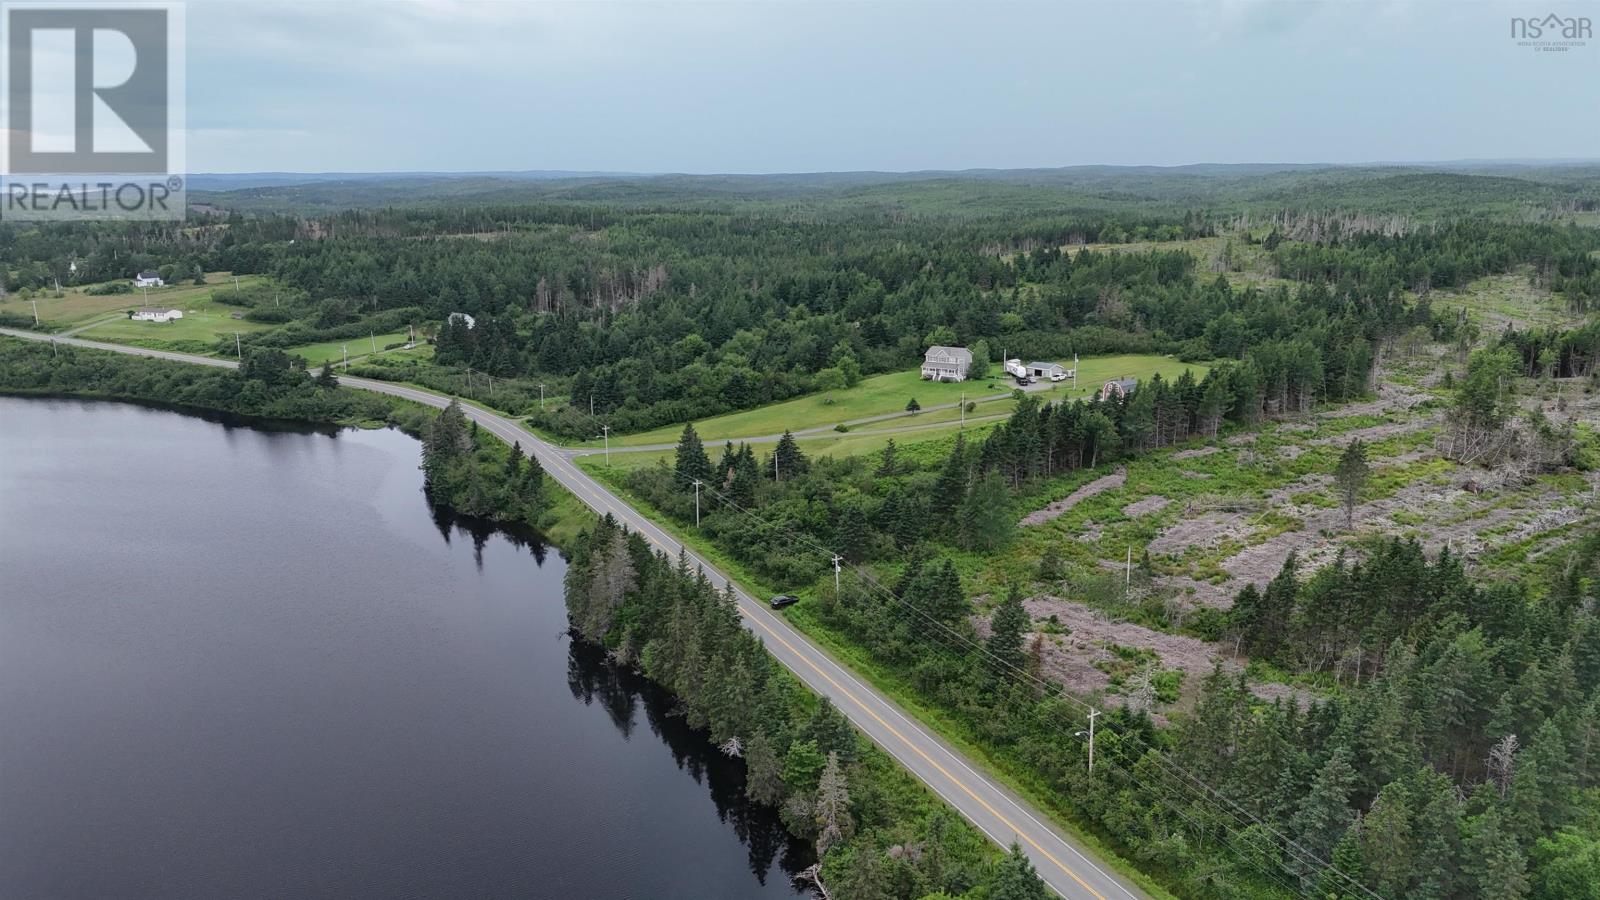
<point x="759" y="87"/>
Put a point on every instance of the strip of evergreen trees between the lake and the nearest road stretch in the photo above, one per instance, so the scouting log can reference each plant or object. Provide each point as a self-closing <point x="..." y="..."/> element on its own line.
<point x="878" y="834"/>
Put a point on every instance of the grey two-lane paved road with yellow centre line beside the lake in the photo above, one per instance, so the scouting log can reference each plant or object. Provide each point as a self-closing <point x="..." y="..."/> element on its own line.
<point x="985" y="803"/>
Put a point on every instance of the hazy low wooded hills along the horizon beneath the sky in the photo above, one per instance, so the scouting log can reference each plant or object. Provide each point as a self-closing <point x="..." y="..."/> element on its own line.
<point x="1454" y="188"/>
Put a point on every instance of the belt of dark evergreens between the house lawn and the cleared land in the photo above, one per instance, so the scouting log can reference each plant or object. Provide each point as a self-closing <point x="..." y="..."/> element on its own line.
<point x="874" y="510"/>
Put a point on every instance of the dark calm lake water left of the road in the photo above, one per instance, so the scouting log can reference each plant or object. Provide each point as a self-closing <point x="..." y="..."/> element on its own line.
<point x="239" y="662"/>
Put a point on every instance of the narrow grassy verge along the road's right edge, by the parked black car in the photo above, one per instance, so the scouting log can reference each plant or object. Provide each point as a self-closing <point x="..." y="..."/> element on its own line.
<point x="1001" y="766"/>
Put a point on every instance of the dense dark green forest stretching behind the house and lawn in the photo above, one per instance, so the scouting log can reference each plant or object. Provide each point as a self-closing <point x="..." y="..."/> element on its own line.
<point x="660" y="316"/>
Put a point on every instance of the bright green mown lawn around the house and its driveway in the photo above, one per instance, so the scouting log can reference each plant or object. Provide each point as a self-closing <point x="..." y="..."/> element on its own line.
<point x="887" y="395"/>
